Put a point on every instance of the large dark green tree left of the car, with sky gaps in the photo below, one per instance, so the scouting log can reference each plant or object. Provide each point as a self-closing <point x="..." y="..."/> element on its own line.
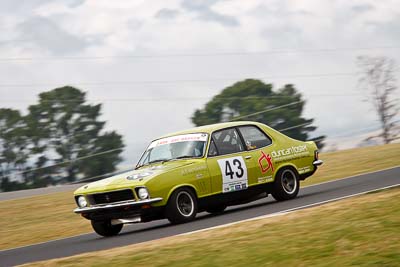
<point x="61" y="124"/>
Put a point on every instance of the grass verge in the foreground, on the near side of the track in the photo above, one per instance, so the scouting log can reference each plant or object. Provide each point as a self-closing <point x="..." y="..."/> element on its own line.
<point x="360" y="231"/>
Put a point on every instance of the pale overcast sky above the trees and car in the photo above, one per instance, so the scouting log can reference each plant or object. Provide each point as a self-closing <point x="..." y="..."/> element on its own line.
<point x="153" y="63"/>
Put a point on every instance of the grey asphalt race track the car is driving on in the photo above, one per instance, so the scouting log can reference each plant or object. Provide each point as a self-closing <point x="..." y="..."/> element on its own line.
<point x="137" y="233"/>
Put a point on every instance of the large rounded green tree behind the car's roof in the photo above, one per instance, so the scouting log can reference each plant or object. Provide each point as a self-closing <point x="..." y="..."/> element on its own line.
<point x="254" y="100"/>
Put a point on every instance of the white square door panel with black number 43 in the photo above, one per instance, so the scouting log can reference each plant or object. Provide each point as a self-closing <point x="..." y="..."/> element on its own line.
<point x="233" y="169"/>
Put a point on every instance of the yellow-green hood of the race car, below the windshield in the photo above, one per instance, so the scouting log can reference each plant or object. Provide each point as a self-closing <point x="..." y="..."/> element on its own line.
<point x="132" y="178"/>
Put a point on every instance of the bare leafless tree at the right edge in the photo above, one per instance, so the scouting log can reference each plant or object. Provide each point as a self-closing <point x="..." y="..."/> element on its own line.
<point x="378" y="79"/>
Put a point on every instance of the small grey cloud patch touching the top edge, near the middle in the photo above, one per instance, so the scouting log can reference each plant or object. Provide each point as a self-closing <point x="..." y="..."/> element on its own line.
<point x="203" y="10"/>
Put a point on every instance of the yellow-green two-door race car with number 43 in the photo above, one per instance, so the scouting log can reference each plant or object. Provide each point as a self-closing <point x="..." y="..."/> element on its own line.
<point x="202" y="169"/>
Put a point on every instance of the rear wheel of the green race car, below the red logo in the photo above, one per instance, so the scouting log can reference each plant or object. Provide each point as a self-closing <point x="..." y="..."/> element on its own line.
<point x="286" y="185"/>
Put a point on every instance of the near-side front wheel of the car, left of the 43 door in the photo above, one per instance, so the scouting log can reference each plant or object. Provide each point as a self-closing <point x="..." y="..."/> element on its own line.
<point x="181" y="206"/>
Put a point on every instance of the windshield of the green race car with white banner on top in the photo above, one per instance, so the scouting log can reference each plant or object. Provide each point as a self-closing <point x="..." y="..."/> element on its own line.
<point x="175" y="147"/>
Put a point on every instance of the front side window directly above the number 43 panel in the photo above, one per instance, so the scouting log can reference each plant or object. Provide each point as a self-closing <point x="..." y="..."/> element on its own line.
<point x="227" y="141"/>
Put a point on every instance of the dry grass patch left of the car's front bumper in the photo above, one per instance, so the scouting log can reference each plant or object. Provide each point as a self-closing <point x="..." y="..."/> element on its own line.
<point x="38" y="219"/>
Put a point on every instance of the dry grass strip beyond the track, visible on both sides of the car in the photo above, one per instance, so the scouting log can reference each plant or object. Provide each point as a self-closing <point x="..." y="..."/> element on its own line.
<point x="43" y="218"/>
